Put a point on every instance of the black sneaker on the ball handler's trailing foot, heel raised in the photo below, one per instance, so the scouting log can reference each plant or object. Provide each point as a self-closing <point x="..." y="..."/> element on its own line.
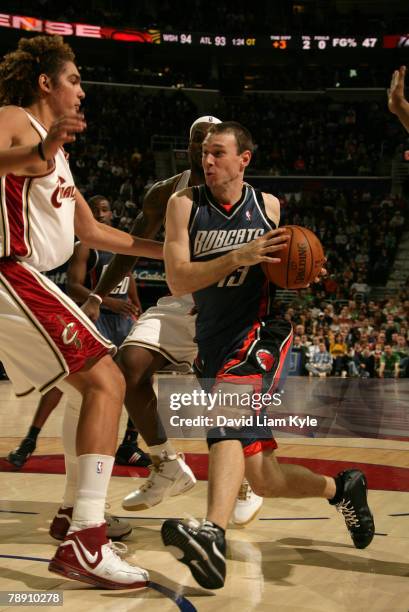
<point x="355" y="509"/>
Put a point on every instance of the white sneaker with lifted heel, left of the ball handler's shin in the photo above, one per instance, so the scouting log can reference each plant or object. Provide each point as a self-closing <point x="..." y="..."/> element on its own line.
<point x="168" y="478"/>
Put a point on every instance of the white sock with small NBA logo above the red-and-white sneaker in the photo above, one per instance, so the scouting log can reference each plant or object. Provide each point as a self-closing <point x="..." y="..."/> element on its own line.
<point x="94" y="473"/>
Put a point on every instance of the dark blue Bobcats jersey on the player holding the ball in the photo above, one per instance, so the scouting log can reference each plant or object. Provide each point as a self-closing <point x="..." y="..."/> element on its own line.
<point x="228" y="309"/>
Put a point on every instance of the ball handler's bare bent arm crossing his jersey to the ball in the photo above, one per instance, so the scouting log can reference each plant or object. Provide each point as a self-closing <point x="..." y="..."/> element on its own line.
<point x="184" y="276"/>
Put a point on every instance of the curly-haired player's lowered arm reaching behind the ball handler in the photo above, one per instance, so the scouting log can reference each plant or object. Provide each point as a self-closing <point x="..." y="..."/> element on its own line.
<point x="100" y="236"/>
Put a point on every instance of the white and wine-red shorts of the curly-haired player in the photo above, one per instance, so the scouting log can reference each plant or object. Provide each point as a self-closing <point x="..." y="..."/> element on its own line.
<point x="44" y="335"/>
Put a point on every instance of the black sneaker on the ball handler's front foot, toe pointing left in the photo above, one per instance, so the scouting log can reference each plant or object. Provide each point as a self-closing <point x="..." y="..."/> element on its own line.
<point x="203" y="549"/>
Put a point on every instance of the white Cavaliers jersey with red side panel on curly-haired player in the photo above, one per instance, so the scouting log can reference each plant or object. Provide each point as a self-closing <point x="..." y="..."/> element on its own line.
<point x="37" y="213"/>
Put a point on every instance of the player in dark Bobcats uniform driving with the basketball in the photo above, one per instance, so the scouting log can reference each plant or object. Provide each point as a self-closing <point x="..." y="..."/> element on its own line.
<point x="216" y="237"/>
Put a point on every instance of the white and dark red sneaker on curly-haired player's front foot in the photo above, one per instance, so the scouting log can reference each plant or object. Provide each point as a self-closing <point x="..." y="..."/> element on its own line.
<point x="88" y="556"/>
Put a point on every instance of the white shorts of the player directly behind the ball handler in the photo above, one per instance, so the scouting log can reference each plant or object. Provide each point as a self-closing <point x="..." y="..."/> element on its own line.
<point x="169" y="329"/>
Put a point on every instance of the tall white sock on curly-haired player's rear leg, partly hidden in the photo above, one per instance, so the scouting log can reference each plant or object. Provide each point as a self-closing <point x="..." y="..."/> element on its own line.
<point x="69" y="435"/>
